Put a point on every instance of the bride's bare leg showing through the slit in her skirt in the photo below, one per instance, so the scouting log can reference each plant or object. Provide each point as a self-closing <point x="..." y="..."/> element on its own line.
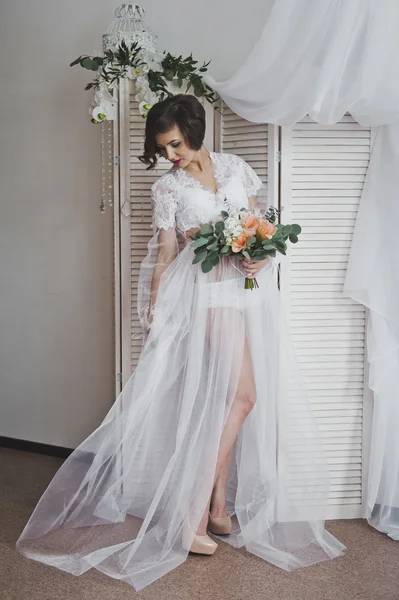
<point x="243" y="403"/>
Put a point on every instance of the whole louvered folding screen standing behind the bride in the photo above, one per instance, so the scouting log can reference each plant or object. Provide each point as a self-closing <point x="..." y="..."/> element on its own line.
<point x="316" y="173"/>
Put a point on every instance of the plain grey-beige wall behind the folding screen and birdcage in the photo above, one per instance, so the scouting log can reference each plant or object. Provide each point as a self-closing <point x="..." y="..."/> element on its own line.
<point x="56" y="355"/>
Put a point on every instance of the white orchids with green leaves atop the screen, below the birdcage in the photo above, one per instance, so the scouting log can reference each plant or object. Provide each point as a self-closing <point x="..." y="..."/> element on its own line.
<point x="150" y="72"/>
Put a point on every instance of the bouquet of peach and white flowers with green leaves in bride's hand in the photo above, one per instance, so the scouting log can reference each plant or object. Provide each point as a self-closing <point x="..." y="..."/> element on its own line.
<point x="245" y="233"/>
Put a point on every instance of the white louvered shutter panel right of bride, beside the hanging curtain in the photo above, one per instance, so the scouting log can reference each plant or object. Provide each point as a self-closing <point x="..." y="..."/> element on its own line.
<point x="323" y="168"/>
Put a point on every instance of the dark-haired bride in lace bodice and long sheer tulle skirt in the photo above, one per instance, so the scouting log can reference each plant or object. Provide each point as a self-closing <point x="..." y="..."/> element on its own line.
<point x="212" y="433"/>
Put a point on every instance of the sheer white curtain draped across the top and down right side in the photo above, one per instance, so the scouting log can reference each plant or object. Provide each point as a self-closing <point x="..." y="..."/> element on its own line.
<point x="324" y="58"/>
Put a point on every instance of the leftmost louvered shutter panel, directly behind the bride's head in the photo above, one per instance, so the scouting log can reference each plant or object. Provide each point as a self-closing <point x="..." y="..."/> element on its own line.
<point x="135" y="217"/>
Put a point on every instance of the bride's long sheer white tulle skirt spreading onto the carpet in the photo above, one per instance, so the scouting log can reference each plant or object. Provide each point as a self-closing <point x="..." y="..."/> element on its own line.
<point x="125" y="498"/>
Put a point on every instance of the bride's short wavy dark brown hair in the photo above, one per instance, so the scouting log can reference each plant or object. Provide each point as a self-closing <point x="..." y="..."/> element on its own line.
<point x="182" y="110"/>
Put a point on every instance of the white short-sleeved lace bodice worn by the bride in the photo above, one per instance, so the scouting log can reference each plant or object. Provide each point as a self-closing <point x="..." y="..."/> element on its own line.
<point x="179" y="200"/>
